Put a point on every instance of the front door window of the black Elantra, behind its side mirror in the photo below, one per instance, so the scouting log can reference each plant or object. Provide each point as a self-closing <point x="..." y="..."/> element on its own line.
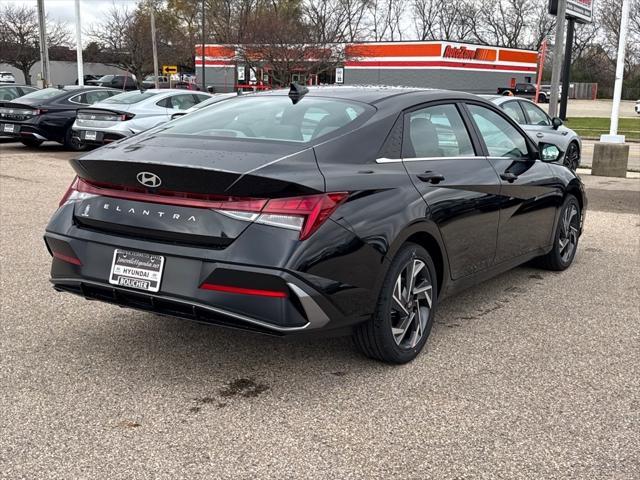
<point x="501" y="138"/>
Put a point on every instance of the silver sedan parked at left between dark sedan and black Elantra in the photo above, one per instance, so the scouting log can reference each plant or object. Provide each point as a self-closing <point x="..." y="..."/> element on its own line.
<point x="132" y="112"/>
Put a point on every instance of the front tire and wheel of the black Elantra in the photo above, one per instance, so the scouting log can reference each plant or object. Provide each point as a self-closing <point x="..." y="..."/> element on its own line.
<point x="566" y="238"/>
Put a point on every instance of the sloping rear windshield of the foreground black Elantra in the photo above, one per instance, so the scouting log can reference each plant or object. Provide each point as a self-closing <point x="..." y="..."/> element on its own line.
<point x="270" y="118"/>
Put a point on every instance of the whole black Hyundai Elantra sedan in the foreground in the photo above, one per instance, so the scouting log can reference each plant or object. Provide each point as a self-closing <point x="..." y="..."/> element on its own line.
<point x="345" y="210"/>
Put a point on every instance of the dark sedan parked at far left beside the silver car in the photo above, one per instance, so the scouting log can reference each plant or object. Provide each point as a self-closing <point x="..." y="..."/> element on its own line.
<point x="48" y="114"/>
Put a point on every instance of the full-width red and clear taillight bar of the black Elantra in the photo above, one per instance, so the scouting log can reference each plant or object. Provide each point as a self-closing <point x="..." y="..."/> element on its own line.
<point x="304" y="214"/>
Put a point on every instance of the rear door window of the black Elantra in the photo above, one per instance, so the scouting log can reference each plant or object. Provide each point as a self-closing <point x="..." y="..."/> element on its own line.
<point x="436" y="131"/>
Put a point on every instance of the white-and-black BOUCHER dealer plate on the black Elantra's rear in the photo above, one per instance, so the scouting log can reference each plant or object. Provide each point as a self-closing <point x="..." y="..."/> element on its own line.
<point x="142" y="271"/>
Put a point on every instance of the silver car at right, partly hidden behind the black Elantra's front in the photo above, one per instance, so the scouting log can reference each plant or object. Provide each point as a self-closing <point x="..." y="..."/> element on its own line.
<point x="542" y="128"/>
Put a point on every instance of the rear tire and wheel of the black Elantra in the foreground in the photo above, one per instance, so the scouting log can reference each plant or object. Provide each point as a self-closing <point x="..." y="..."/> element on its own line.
<point x="404" y="313"/>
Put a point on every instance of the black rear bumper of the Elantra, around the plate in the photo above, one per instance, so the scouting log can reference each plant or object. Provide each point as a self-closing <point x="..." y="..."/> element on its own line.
<point x="304" y="309"/>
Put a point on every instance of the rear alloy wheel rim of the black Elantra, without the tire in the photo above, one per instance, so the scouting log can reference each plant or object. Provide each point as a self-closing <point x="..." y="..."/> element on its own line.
<point x="411" y="304"/>
